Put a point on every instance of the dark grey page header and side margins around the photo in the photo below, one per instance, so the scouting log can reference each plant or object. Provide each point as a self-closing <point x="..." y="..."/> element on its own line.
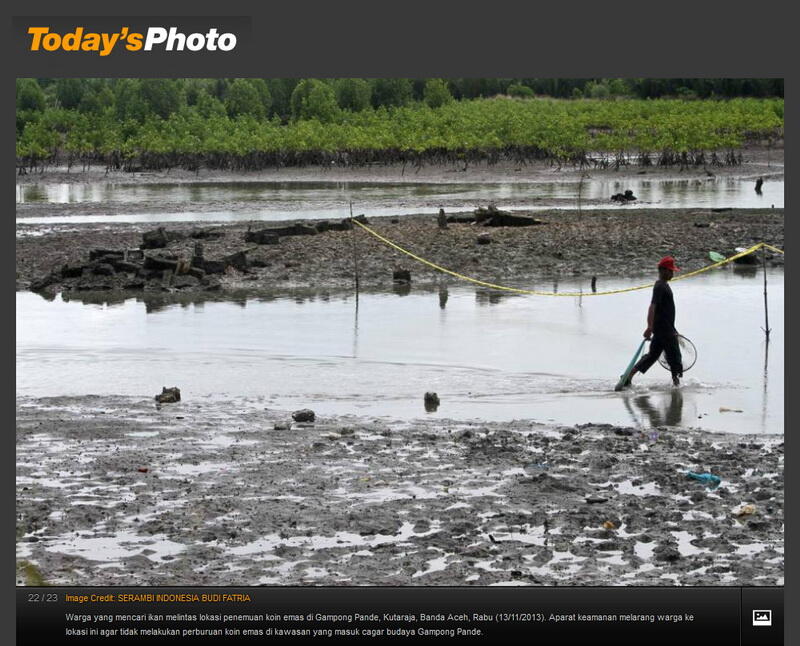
<point x="419" y="39"/>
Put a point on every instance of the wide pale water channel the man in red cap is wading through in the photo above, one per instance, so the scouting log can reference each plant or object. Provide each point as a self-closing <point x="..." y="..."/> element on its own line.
<point x="489" y="356"/>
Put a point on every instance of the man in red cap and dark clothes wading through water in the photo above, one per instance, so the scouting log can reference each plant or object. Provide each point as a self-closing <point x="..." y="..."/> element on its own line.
<point x="661" y="327"/>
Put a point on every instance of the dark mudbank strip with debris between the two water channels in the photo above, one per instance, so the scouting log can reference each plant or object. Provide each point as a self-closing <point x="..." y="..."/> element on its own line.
<point x="568" y="244"/>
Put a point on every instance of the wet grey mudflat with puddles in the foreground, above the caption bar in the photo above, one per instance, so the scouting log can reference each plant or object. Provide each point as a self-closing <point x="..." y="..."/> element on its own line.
<point x="112" y="491"/>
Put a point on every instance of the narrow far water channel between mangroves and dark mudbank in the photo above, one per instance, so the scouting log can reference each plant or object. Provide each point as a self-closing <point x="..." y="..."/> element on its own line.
<point x="272" y="201"/>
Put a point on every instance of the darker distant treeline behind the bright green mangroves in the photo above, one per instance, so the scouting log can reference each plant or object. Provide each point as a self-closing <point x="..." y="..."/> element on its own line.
<point x="304" y="98"/>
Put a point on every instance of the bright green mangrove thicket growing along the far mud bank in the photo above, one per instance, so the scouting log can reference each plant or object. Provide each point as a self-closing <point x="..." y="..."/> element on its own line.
<point x="237" y="134"/>
